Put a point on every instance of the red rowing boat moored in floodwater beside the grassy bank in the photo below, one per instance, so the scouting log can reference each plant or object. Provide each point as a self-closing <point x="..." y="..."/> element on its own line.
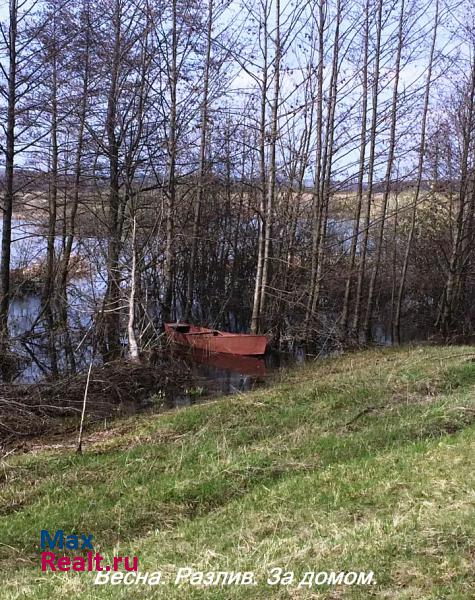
<point x="212" y="340"/>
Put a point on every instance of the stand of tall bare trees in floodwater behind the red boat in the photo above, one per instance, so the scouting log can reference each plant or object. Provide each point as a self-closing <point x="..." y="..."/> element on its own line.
<point x="302" y="169"/>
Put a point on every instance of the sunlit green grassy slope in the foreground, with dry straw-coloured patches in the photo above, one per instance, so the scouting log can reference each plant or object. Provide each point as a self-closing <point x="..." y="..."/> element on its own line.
<point x="284" y="476"/>
